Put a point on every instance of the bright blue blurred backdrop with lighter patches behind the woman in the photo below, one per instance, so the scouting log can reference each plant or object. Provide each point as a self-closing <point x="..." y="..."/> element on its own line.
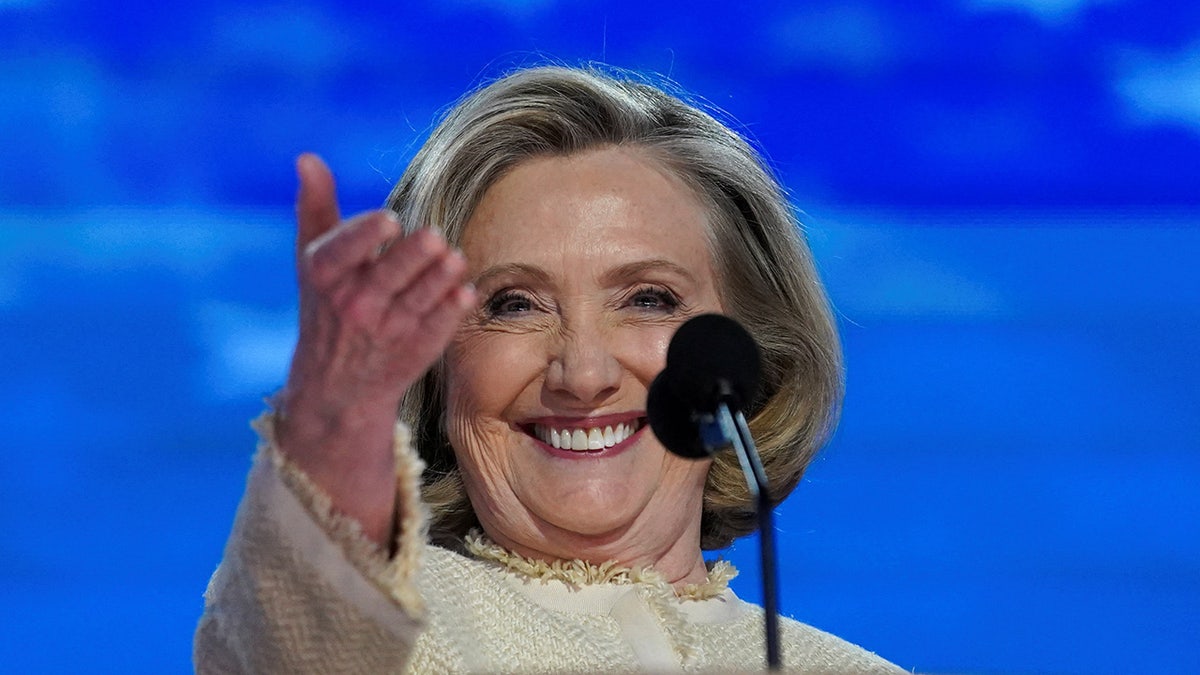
<point x="1004" y="198"/>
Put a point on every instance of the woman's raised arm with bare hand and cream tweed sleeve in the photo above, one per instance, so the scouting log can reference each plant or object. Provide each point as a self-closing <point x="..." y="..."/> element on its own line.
<point x="309" y="582"/>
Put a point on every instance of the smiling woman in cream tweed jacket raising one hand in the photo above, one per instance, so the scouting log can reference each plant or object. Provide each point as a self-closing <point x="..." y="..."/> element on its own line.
<point x="514" y="302"/>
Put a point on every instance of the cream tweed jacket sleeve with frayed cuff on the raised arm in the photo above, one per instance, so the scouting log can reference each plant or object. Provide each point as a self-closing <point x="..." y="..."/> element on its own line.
<point x="301" y="589"/>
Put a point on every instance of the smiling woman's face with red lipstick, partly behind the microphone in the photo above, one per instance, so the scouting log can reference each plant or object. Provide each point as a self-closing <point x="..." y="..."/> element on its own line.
<point x="585" y="266"/>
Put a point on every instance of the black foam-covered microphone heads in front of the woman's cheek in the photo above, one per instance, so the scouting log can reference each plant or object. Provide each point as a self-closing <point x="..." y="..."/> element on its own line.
<point x="711" y="361"/>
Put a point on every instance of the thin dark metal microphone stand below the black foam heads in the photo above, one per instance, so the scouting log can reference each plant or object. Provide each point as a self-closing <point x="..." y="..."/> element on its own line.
<point x="727" y="428"/>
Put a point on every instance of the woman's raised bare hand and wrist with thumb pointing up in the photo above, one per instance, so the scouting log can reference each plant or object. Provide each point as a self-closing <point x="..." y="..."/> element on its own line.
<point x="377" y="309"/>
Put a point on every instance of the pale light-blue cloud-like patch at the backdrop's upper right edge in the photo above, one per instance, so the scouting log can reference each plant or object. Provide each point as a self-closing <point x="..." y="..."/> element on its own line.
<point x="1161" y="89"/>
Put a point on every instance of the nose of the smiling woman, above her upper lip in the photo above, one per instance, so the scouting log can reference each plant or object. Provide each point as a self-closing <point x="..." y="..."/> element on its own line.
<point x="584" y="368"/>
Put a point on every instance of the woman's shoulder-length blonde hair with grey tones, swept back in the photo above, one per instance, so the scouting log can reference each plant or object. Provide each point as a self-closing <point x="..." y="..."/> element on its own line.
<point x="766" y="273"/>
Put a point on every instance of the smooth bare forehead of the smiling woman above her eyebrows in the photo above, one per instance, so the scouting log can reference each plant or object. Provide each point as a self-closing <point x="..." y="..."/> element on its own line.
<point x="598" y="202"/>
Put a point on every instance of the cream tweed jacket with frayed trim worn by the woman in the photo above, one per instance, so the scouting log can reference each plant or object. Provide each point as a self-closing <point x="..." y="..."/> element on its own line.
<point x="302" y="590"/>
